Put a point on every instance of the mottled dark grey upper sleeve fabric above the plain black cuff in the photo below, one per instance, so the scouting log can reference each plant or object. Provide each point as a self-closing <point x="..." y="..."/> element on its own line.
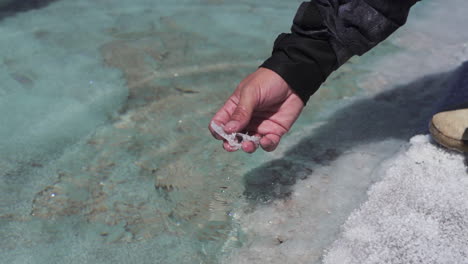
<point x="356" y="26"/>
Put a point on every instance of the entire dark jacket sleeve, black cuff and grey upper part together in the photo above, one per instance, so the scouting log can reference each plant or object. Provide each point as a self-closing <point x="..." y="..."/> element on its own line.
<point x="326" y="33"/>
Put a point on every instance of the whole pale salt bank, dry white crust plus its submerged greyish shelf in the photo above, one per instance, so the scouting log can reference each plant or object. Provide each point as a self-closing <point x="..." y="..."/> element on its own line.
<point x="417" y="212"/>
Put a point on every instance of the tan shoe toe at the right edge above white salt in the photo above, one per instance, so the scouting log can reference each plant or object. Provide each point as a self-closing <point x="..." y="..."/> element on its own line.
<point x="450" y="129"/>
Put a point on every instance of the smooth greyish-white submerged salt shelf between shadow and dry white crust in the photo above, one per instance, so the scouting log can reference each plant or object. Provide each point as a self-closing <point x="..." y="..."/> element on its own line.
<point x="298" y="229"/>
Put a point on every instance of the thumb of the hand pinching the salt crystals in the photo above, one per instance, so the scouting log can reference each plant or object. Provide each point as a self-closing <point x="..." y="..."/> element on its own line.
<point x="241" y="116"/>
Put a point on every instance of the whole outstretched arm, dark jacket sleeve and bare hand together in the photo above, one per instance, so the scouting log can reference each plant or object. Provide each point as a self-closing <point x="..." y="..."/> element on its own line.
<point x="324" y="35"/>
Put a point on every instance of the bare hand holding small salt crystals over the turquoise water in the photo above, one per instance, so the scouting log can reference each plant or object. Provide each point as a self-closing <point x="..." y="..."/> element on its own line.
<point x="264" y="105"/>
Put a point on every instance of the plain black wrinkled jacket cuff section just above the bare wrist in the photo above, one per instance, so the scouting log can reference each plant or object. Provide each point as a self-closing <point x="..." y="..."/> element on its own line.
<point x="305" y="57"/>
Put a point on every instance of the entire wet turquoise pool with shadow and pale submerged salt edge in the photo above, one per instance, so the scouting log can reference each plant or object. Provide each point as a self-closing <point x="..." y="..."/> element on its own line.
<point x="108" y="158"/>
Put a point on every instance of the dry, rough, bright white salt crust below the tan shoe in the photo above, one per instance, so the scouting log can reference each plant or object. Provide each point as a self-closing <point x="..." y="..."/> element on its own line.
<point x="418" y="213"/>
